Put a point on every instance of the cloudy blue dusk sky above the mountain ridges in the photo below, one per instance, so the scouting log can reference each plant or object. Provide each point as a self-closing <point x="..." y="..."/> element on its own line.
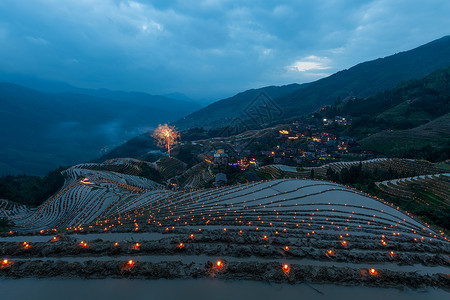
<point x="207" y="49"/>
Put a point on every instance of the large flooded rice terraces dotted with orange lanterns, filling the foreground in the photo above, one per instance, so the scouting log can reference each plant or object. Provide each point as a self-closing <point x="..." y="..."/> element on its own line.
<point x="106" y="224"/>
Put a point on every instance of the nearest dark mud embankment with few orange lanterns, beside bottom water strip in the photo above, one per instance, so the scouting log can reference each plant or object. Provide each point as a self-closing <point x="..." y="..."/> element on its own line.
<point x="273" y="272"/>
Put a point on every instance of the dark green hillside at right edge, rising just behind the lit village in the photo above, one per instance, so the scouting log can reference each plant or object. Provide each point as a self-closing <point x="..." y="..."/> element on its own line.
<point x="412" y="117"/>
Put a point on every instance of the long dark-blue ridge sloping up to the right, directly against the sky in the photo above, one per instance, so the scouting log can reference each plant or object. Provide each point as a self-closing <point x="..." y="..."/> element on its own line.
<point x="362" y="80"/>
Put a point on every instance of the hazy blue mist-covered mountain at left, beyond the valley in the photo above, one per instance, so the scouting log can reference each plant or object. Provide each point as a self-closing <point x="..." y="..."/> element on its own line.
<point x="41" y="131"/>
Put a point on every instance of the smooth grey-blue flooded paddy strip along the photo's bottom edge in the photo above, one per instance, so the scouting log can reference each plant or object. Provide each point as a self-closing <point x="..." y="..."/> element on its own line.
<point x="69" y="289"/>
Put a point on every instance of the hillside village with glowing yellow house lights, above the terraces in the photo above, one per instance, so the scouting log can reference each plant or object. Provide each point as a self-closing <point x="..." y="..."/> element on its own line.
<point x="300" y="144"/>
